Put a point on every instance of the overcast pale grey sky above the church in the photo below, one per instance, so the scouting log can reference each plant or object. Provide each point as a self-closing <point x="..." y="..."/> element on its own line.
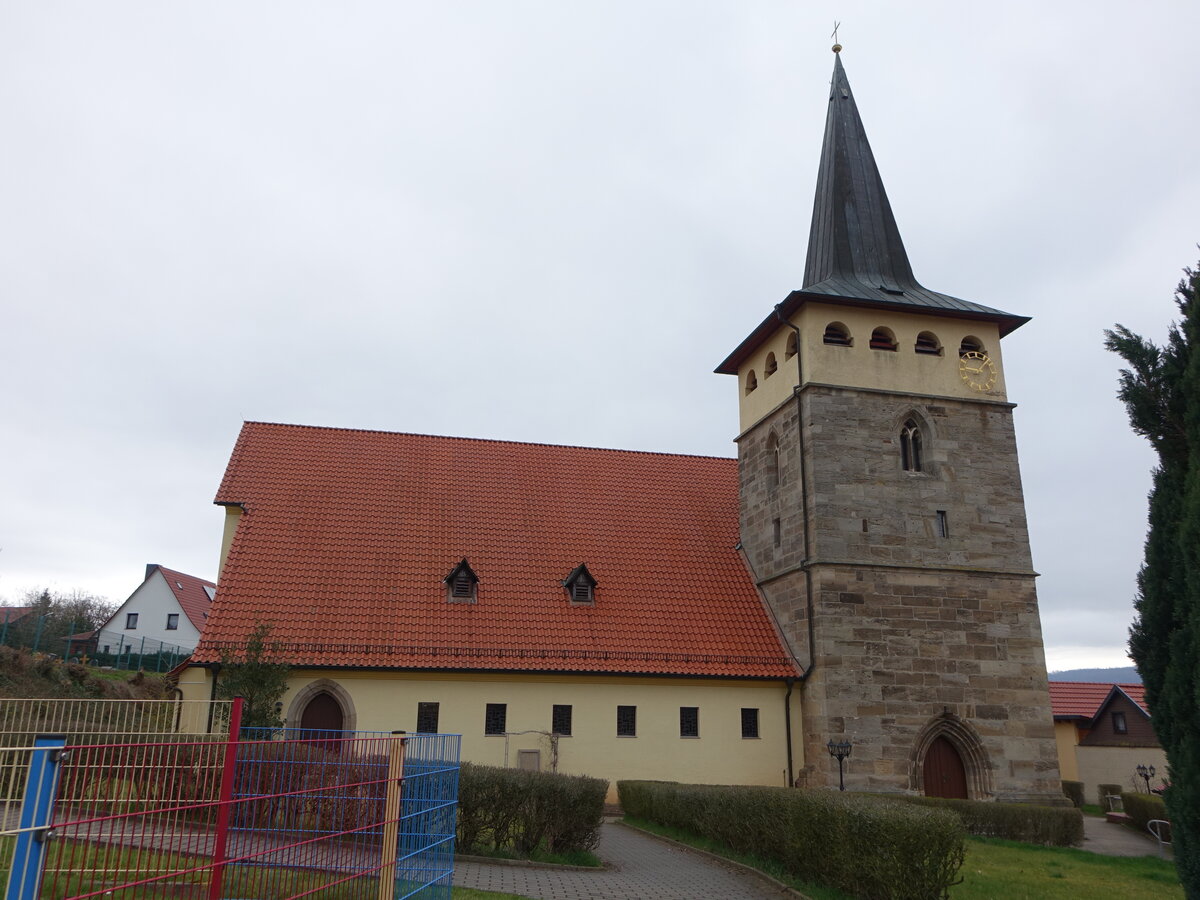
<point x="550" y="221"/>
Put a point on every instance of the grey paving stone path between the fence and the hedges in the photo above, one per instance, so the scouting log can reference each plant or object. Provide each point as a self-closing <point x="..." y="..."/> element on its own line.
<point x="640" y="868"/>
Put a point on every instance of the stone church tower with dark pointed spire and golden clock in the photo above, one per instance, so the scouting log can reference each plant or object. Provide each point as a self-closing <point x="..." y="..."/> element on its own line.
<point x="881" y="508"/>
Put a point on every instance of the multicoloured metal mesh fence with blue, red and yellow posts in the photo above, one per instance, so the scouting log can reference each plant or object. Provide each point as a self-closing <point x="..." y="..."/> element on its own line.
<point x="275" y="815"/>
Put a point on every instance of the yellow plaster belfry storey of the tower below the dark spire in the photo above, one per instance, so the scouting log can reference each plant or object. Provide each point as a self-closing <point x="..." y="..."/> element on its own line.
<point x="860" y="367"/>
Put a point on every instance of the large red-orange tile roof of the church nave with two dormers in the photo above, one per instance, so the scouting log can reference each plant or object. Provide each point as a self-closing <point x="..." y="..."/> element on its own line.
<point x="347" y="537"/>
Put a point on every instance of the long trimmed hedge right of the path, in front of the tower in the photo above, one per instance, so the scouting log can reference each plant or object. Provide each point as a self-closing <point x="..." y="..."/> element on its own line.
<point x="867" y="847"/>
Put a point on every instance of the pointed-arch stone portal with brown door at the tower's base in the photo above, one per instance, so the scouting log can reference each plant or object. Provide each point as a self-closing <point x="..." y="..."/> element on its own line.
<point x="950" y="760"/>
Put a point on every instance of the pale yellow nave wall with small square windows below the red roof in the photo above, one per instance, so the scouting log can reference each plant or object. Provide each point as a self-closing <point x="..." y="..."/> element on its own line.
<point x="387" y="701"/>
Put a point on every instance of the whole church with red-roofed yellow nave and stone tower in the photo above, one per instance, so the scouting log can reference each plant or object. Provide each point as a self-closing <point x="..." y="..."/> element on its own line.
<point x="861" y="574"/>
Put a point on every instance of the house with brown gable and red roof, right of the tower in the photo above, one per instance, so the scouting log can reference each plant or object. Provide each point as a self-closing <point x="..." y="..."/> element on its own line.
<point x="1105" y="734"/>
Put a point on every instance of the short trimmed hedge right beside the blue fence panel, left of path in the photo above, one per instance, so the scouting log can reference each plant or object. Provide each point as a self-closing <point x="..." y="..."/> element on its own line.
<point x="523" y="812"/>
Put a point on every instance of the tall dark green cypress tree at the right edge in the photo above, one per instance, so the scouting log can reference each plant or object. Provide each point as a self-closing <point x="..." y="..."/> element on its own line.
<point x="1162" y="394"/>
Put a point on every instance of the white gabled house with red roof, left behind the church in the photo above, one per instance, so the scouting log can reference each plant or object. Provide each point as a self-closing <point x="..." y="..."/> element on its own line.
<point x="167" y="611"/>
